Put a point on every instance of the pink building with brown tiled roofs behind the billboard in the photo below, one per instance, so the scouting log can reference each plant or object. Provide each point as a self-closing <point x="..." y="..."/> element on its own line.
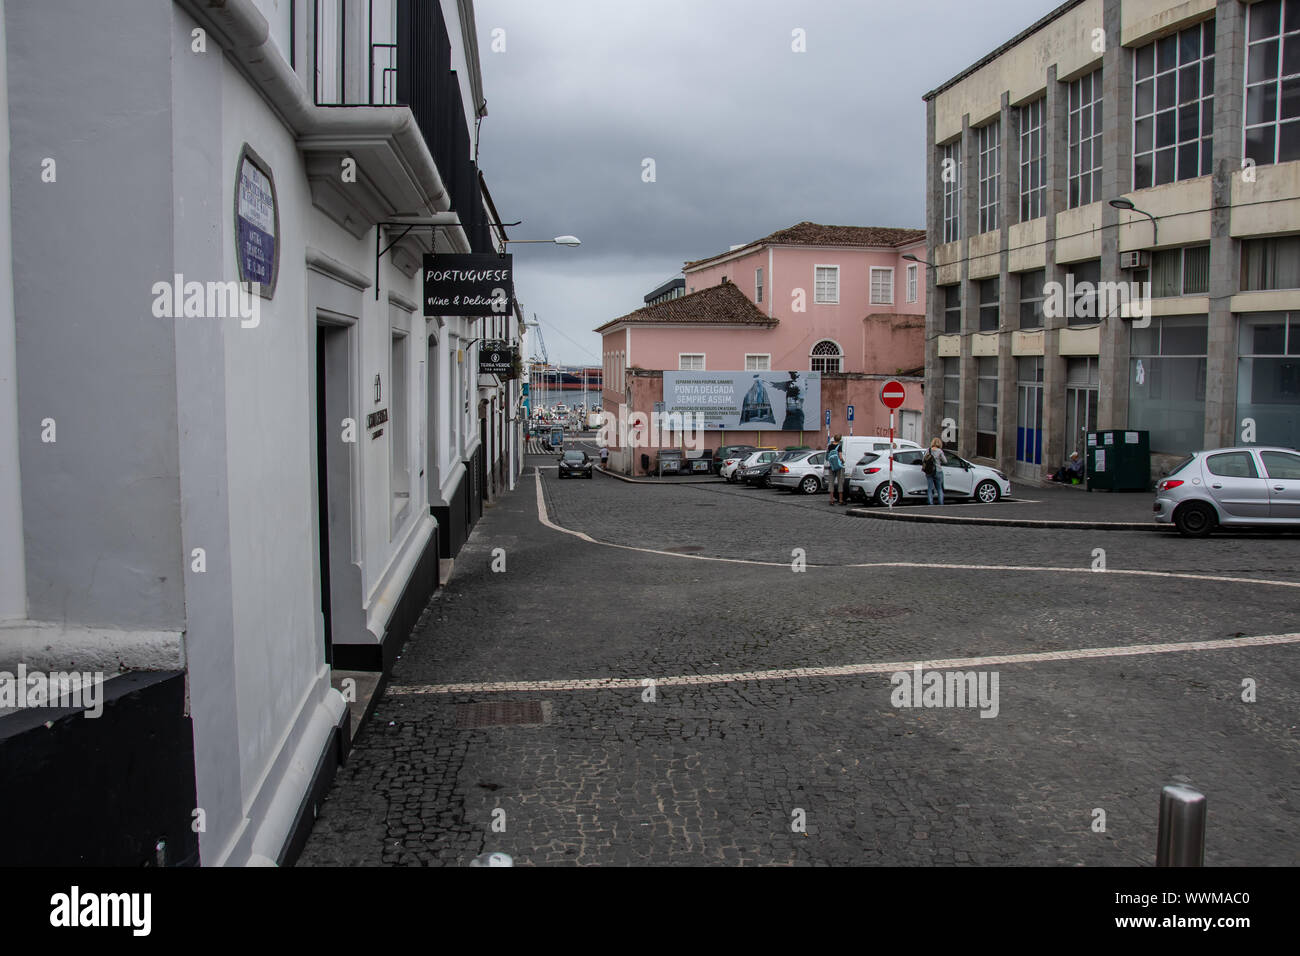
<point x="840" y="301"/>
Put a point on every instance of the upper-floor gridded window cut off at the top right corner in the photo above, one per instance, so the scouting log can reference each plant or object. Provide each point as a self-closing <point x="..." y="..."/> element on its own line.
<point x="1273" y="83"/>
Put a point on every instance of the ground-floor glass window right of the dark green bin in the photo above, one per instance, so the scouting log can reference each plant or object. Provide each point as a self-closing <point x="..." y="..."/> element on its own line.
<point x="1168" y="383"/>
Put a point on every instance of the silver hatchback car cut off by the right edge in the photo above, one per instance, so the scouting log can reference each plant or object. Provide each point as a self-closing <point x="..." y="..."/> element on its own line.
<point x="1247" y="486"/>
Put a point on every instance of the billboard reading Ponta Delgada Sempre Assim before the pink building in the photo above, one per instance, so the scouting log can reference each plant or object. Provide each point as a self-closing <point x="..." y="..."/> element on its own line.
<point x="748" y="401"/>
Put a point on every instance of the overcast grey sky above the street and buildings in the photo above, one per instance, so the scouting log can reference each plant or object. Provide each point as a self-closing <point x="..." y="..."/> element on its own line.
<point x="747" y="136"/>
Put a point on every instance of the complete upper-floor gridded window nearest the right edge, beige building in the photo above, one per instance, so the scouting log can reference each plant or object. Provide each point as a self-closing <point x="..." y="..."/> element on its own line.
<point x="1175" y="107"/>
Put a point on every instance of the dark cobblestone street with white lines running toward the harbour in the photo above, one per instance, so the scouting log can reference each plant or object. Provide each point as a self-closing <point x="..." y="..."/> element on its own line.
<point x="736" y="745"/>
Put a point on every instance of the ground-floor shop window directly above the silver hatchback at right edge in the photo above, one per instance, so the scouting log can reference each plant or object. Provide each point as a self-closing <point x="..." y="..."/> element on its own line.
<point x="1268" y="378"/>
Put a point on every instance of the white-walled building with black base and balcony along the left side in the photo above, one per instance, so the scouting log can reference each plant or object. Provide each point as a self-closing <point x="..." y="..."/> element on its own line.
<point x="220" y="499"/>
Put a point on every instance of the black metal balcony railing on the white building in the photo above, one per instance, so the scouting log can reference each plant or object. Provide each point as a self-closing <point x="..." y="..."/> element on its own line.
<point x="415" y="72"/>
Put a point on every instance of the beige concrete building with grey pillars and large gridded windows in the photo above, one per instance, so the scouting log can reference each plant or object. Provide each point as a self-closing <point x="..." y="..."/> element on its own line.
<point x="1119" y="142"/>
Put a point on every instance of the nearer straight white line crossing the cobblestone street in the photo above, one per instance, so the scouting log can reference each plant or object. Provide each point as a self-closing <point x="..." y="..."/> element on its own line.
<point x="851" y="671"/>
